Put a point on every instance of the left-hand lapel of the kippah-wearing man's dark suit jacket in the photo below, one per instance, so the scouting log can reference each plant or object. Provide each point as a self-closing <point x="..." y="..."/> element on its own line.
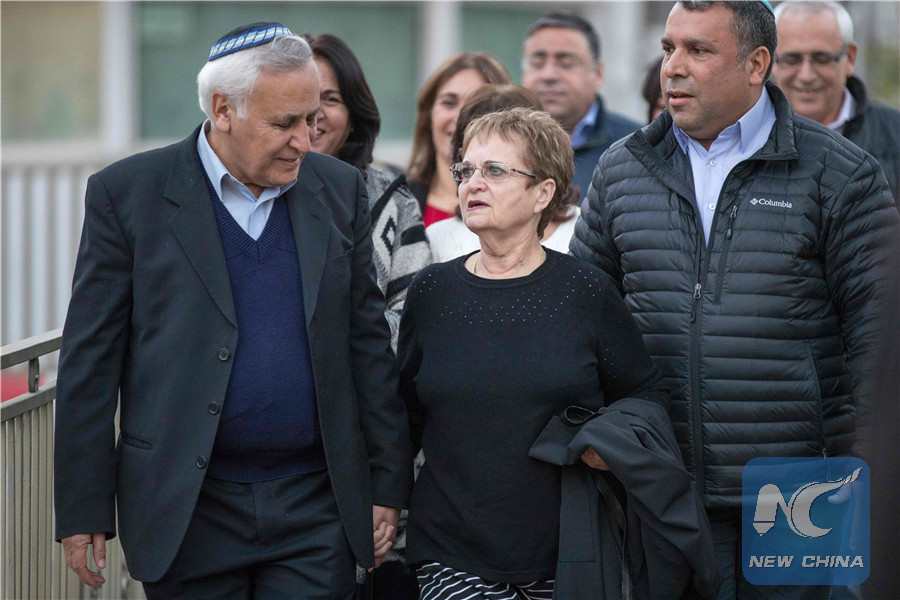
<point x="194" y="224"/>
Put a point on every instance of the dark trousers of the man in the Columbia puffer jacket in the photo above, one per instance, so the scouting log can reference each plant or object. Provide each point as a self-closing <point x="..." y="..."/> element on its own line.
<point x="726" y="533"/>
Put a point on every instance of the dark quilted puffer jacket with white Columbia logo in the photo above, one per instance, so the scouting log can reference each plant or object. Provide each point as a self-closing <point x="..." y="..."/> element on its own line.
<point x="754" y="333"/>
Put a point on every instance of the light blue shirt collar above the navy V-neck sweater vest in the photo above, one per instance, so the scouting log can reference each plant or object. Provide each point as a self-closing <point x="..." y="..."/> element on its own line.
<point x="250" y="212"/>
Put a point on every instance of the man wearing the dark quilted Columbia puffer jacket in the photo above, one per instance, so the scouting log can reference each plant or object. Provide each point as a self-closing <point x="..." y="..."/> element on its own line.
<point x="750" y="245"/>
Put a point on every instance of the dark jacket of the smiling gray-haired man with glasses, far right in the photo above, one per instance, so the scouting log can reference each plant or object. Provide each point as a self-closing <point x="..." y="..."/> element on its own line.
<point x="876" y="129"/>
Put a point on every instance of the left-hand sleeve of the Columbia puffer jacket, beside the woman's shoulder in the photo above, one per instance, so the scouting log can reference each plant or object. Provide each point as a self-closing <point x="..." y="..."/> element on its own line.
<point x="592" y="242"/>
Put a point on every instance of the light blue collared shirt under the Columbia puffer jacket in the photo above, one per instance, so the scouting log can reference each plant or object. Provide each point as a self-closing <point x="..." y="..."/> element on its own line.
<point x="736" y="143"/>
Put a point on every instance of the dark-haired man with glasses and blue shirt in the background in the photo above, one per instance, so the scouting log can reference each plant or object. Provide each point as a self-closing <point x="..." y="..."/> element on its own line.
<point x="562" y="65"/>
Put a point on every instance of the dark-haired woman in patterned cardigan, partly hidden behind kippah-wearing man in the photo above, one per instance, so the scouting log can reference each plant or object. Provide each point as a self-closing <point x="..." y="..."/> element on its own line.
<point x="346" y="127"/>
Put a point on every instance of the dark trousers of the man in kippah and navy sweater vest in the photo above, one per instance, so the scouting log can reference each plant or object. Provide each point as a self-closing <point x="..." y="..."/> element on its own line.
<point x="273" y="539"/>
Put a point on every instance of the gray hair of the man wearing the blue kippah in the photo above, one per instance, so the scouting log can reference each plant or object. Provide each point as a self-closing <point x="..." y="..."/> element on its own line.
<point x="236" y="75"/>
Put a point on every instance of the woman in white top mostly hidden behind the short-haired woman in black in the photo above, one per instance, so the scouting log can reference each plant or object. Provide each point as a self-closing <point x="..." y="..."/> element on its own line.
<point x="451" y="238"/>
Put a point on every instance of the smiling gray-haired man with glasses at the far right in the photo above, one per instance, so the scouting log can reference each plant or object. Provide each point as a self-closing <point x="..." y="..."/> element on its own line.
<point x="814" y="67"/>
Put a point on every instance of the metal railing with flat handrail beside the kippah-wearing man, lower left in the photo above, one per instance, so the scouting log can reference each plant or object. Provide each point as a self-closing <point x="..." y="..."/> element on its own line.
<point x="33" y="563"/>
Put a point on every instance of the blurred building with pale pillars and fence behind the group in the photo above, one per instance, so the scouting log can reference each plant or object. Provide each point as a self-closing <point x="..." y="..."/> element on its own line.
<point x="85" y="83"/>
